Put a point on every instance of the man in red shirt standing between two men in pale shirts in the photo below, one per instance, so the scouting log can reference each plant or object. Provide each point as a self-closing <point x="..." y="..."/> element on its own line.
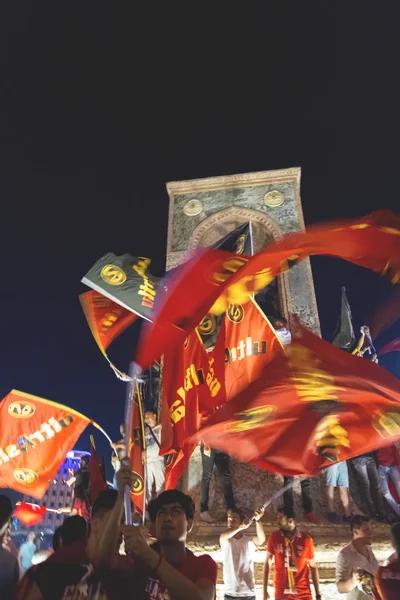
<point x="293" y="554"/>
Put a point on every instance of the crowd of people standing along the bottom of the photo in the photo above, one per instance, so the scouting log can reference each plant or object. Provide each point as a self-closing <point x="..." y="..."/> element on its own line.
<point x="104" y="559"/>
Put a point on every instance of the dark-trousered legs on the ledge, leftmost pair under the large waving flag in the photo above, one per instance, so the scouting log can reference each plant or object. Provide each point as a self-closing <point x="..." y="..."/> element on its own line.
<point x="209" y="458"/>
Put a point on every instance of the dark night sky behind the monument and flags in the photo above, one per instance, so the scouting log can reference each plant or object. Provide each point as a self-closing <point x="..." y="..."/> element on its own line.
<point x="101" y="104"/>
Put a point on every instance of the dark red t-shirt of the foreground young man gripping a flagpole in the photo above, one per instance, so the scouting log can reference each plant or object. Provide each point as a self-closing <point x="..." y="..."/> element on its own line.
<point x="193" y="567"/>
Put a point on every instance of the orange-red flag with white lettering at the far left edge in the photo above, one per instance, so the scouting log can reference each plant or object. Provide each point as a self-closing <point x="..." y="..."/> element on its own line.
<point x="35" y="436"/>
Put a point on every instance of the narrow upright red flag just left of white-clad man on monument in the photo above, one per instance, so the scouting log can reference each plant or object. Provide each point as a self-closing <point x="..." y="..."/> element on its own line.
<point x="138" y="447"/>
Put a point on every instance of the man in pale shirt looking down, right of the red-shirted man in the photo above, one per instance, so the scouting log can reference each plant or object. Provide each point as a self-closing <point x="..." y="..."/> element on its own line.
<point x="356" y="564"/>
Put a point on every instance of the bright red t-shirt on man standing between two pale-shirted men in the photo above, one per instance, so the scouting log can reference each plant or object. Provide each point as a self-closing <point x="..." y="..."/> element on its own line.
<point x="302" y="550"/>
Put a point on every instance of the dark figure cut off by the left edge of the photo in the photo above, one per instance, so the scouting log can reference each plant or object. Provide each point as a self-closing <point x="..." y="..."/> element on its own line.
<point x="9" y="569"/>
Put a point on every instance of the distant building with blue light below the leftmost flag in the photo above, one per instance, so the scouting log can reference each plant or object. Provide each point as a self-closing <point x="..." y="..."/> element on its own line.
<point x="59" y="494"/>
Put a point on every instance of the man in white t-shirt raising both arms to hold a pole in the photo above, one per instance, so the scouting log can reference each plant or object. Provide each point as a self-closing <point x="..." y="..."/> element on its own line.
<point x="238" y="554"/>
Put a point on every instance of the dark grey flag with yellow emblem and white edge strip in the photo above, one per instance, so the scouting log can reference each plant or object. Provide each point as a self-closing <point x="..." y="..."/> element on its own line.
<point x="125" y="280"/>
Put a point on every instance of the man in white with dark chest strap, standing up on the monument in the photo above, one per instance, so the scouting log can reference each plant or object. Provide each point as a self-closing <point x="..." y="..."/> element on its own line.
<point x="155" y="465"/>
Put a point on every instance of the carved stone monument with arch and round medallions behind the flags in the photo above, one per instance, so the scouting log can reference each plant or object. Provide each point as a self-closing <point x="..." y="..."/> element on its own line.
<point x="202" y="211"/>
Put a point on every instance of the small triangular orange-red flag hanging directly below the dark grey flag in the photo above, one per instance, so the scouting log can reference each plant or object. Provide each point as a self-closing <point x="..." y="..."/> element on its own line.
<point x="106" y="319"/>
